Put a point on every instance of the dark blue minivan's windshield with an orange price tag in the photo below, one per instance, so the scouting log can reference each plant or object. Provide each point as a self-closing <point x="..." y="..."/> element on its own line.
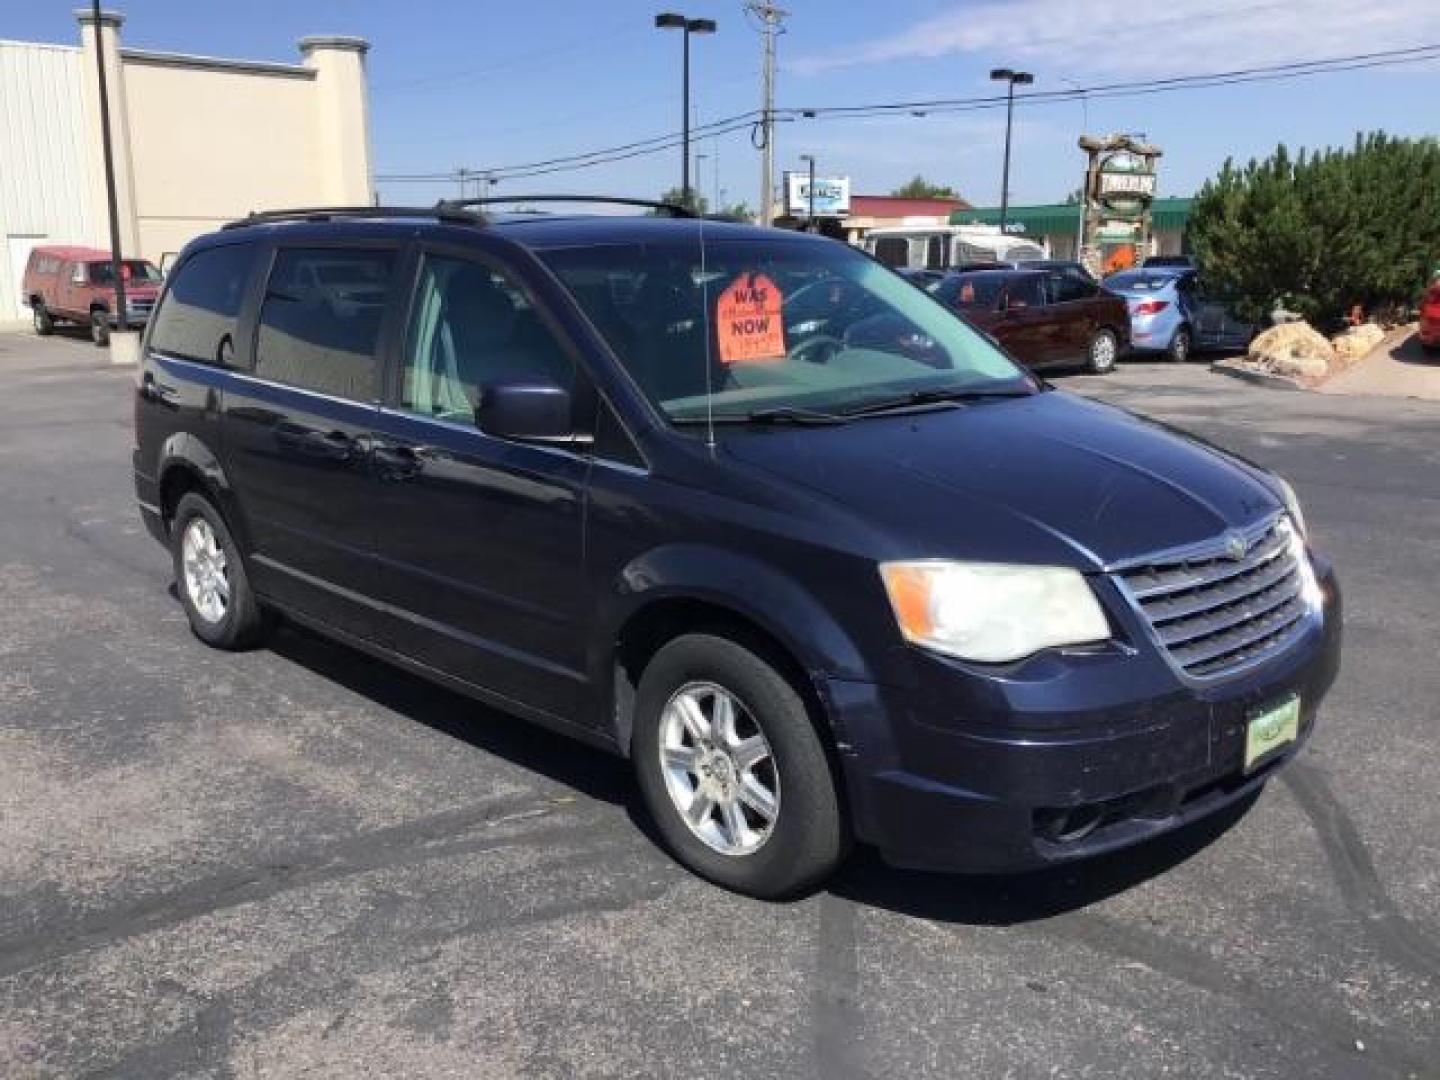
<point x="745" y="326"/>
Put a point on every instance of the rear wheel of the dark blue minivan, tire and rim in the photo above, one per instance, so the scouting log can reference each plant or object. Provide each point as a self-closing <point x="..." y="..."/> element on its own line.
<point x="211" y="578"/>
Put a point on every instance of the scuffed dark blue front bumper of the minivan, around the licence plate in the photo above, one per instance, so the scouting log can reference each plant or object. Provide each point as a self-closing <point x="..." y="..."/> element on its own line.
<point x="1088" y="754"/>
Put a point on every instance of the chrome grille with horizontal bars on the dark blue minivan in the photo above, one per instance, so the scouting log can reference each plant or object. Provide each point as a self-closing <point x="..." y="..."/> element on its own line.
<point x="1228" y="606"/>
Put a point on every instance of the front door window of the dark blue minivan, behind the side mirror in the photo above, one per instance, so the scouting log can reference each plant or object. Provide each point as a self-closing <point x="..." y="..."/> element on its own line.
<point x="472" y="326"/>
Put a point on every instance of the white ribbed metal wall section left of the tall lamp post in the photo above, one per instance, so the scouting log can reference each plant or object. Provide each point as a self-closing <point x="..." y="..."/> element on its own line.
<point x="42" y="159"/>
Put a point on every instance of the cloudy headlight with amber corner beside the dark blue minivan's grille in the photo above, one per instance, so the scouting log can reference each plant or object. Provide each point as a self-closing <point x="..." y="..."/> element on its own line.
<point x="993" y="613"/>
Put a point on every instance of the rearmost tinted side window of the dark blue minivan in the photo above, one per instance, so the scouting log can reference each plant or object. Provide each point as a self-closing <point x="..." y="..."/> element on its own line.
<point x="202" y="305"/>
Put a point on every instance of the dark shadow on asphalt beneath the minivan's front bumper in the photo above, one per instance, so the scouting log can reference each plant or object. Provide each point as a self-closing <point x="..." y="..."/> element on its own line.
<point x="1010" y="899"/>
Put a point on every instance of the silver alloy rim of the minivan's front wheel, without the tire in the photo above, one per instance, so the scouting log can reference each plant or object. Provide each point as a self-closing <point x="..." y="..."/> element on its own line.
<point x="719" y="770"/>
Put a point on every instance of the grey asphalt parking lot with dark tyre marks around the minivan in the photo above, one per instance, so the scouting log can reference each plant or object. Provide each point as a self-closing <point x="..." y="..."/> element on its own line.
<point x="300" y="863"/>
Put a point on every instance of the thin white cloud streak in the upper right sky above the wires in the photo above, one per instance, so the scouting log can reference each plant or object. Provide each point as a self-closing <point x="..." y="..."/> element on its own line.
<point x="1095" y="38"/>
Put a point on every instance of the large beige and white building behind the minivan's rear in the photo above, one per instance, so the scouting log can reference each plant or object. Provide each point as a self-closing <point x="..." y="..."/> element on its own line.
<point x="198" y="142"/>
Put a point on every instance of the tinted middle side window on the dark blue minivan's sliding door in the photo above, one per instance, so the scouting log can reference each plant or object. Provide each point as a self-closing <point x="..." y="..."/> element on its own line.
<point x="320" y="322"/>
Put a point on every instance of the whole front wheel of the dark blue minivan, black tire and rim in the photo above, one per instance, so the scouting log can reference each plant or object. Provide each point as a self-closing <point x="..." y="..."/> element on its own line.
<point x="734" y="771"/>
